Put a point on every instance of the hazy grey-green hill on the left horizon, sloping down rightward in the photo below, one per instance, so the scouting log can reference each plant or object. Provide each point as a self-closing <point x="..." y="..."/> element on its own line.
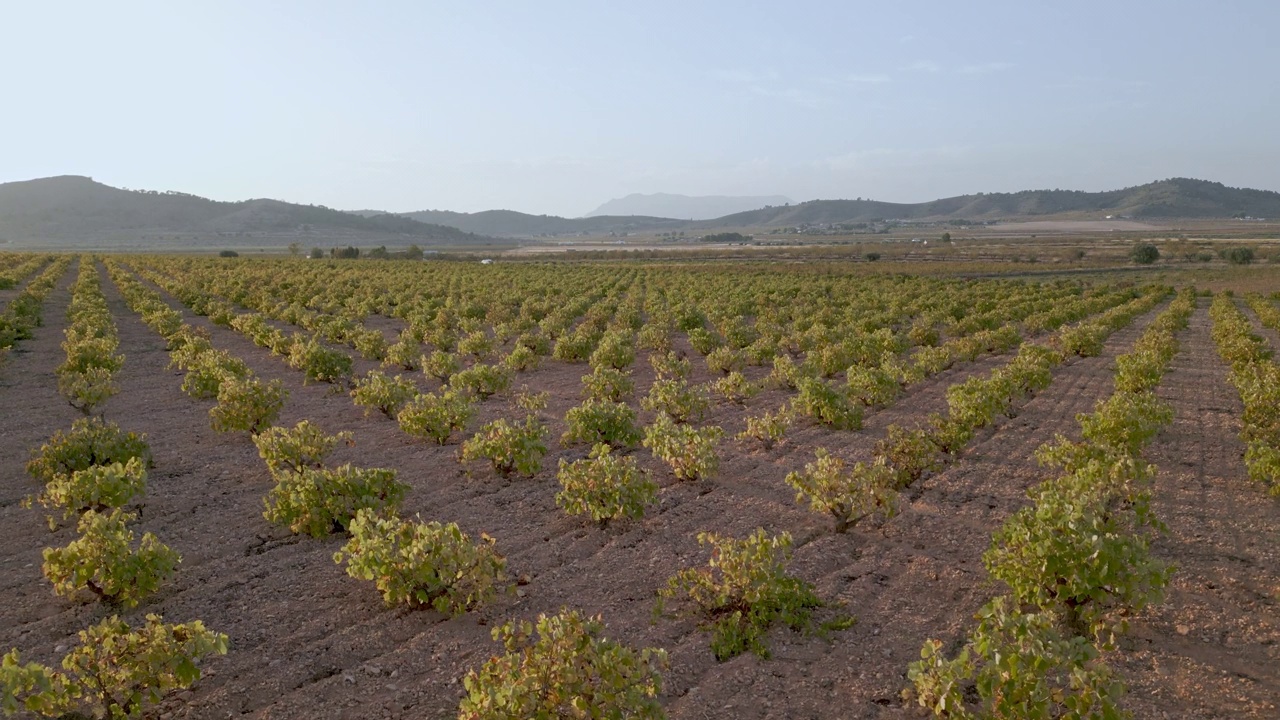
<point x="76" y="211"/>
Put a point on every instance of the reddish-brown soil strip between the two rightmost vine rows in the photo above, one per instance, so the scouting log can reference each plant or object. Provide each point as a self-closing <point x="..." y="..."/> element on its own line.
<point x="1212" y="650"/>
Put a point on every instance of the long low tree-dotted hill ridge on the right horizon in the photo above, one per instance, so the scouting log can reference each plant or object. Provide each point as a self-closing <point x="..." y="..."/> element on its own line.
<point x="1177" y="198"/>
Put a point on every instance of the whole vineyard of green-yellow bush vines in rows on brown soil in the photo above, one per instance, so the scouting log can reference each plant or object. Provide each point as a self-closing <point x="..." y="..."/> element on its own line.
<point x="291" y="489"/>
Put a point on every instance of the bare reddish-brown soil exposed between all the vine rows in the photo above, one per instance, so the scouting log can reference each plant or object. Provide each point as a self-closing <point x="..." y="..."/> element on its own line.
<point x="310" y="642"/>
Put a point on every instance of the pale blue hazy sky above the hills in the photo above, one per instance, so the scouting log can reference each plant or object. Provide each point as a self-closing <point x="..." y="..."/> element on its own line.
<point x="550" y="107"/>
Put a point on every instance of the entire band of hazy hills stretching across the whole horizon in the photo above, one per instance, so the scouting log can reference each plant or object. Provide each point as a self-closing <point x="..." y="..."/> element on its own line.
<point x="79" y="212"/>
